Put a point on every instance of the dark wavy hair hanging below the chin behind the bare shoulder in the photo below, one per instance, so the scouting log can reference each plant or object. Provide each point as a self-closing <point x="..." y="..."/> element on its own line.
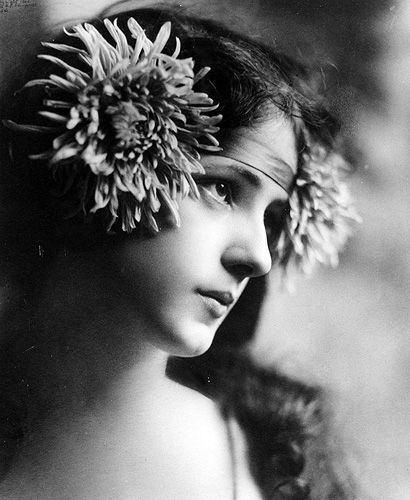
<point x="294" y="450"/>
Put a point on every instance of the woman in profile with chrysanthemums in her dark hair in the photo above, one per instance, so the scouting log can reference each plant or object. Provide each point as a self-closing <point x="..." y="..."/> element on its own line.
<point x="156" y="195"/>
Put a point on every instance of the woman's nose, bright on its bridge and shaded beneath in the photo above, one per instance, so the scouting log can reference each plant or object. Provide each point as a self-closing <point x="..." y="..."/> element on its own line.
<point x="248" y="255"/>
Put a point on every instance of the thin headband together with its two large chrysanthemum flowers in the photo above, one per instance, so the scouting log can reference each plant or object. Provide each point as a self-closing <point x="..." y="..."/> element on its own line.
<point x="127" y="127"/>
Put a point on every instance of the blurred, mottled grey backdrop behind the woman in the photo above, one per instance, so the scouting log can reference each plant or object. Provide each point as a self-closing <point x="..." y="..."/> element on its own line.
<point x="346" y="328"/>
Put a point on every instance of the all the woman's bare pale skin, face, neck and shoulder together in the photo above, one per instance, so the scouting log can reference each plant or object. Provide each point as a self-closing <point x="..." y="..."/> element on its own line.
<point x="115" y="425"/>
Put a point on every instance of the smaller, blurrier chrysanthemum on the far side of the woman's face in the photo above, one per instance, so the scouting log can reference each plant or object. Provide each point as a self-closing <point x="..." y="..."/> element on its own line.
<point x="321" y="213"/>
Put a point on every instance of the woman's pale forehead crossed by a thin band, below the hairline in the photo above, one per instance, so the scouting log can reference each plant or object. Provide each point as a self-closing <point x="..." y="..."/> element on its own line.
<point x="269" y="147"/>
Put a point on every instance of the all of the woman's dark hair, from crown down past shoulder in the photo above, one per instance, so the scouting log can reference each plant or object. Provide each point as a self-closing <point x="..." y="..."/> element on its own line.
<point x="248" y="80"/>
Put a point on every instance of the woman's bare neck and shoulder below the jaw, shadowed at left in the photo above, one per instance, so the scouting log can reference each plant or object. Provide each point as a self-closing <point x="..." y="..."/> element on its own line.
<point x="110" y="423"/>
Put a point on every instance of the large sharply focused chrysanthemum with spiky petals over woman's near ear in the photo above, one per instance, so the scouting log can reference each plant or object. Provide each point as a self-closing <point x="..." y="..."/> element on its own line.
<point x="127" y="129"/>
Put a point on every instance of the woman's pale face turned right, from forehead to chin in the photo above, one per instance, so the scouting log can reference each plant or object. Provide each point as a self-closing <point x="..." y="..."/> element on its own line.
<point x="184" y="281"/>
